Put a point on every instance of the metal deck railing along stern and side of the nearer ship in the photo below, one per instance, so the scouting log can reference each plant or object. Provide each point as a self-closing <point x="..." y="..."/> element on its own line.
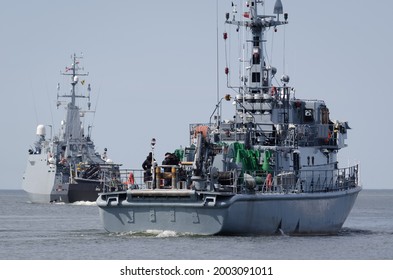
<point x="307" y="181"/>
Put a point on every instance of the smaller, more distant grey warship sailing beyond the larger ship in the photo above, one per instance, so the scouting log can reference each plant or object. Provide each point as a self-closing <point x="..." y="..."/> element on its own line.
<point x="66" y="167"/>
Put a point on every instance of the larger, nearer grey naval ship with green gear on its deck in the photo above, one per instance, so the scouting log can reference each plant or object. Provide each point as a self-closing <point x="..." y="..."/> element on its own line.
<point x="271" y="169"/>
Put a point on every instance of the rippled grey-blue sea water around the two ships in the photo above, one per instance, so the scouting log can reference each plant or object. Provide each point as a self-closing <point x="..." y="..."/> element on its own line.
<point x="74" y="232"/>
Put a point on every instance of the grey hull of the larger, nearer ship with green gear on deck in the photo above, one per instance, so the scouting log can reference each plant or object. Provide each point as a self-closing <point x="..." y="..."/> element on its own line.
<point x="240" y="214"/>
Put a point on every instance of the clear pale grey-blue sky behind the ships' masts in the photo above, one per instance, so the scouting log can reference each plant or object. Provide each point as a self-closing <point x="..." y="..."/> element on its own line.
<point x="152" y="67"/>
